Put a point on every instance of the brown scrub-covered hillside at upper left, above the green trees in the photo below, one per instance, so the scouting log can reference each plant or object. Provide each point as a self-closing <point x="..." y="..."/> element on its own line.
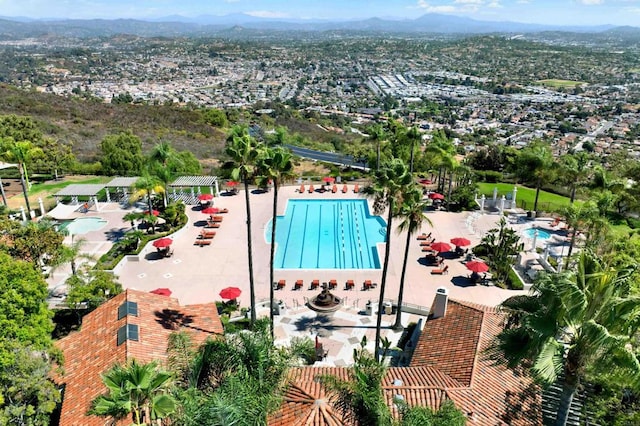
<point x="85" y="123"/>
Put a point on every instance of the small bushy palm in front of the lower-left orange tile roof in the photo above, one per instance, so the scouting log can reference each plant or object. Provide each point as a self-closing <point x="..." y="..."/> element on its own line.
<point x="137" y="389"/>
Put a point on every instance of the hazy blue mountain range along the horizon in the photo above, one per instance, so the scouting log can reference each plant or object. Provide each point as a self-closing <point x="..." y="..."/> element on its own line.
<point x="177" y="25"/>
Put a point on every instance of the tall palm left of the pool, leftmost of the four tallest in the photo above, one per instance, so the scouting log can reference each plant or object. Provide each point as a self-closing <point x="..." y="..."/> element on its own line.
<point x="243" y="152"/>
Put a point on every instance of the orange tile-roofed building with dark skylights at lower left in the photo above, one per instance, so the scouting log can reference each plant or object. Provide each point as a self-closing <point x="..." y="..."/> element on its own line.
<point x="131" y="325"/>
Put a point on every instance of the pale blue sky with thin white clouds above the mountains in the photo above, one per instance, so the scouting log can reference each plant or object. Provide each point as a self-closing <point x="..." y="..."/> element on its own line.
<point x="569" y="12"/>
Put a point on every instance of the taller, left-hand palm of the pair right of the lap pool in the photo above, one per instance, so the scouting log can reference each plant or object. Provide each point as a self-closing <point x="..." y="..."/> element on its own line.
<point x="387" y="191"/>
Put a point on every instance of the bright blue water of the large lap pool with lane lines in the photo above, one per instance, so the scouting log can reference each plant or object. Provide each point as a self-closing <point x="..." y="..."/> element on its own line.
<point x="327" y="234"/>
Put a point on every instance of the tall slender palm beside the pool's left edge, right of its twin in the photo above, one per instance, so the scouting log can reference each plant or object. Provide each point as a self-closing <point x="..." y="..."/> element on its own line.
<point x="274" y="164"/>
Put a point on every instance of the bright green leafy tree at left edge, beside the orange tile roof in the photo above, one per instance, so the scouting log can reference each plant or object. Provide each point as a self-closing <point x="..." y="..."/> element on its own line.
<point x="27" y="396"/>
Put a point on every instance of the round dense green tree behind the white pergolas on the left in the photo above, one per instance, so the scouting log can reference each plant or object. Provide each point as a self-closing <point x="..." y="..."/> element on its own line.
<point x="121" y="155"/>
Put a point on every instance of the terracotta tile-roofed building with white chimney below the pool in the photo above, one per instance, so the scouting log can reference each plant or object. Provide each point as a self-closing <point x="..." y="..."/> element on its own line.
<point x="448" y="363"/>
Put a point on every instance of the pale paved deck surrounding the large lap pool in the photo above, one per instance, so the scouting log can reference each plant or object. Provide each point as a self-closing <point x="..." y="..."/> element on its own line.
<point x="196" y="274"/>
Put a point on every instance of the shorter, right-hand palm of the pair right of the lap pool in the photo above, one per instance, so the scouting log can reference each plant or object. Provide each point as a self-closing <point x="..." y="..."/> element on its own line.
<point x="412" y="212"/>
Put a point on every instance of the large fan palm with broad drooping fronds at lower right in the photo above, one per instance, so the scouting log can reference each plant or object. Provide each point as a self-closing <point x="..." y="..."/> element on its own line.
<point x="570" y="322"/>
